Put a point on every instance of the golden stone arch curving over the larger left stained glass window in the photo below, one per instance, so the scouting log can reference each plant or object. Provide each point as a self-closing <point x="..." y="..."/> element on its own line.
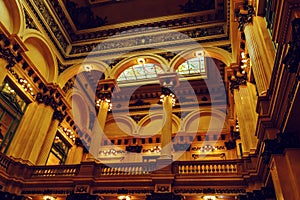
<point x="149" y="58"/>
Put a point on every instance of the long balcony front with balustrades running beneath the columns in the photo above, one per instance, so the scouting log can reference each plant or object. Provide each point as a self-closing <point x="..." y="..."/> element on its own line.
<point x="136" y="178"/>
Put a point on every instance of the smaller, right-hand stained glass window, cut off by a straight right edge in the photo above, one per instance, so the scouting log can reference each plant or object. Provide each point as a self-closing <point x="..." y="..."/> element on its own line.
<point x="192" y="66"/>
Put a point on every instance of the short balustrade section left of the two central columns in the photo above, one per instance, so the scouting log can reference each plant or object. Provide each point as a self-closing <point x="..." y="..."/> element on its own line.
<point x="41" y="171"/>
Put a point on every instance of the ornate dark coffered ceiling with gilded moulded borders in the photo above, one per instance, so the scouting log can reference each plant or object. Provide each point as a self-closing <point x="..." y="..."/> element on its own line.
<point x="77" y="27"/>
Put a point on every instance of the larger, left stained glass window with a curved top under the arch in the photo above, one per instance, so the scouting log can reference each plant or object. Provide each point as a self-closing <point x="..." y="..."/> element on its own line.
<point x="140" y="72"/>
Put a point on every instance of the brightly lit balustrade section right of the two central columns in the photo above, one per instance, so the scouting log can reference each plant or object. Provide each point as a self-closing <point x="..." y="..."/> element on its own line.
<point x="206" y="167"/>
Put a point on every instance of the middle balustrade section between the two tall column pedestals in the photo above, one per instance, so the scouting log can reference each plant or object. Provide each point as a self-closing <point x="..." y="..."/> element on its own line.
<point x="127" y="169"/>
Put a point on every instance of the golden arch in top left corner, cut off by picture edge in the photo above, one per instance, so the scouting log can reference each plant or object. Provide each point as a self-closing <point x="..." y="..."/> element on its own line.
<point x="12" y="16"/>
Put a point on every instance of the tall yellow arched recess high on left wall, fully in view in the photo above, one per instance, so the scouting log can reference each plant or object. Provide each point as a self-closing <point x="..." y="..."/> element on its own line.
<point x="41" y="55"/>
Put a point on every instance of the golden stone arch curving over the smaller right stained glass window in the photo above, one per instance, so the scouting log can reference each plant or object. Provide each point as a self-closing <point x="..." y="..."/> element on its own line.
<point x="213" y="52"/>
